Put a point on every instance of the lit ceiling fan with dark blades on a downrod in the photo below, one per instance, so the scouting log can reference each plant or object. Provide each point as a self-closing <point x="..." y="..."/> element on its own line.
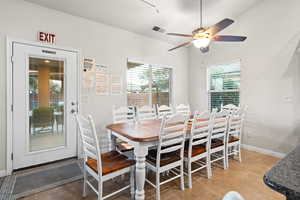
<point x="202" y="37"/>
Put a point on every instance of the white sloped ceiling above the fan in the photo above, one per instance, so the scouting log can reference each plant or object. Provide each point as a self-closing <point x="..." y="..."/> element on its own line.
<point x="180" y="16"/>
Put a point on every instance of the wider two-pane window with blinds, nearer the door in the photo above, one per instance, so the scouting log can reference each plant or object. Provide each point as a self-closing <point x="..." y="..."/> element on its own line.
<point x="148" y="84"/>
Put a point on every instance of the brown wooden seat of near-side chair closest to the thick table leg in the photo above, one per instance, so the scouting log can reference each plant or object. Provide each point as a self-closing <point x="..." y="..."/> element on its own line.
<point x="165" y="159"/>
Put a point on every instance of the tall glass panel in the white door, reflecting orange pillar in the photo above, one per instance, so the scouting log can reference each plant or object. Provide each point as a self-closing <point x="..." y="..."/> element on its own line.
<point x="46" y="104"/>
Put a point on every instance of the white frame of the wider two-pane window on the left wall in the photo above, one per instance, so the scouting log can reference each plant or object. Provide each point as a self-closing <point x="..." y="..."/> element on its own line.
<point x="171" y="95"/>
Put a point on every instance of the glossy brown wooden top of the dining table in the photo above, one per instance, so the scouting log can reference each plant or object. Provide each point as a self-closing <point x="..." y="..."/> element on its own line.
<point x="142" y="131"/>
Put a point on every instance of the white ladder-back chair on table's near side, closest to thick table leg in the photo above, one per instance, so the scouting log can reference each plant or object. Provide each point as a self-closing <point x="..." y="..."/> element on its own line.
<point x="169" y="154"/>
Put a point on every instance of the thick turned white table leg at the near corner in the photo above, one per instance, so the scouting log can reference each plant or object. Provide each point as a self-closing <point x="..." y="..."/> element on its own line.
<point x="140" y="153"/>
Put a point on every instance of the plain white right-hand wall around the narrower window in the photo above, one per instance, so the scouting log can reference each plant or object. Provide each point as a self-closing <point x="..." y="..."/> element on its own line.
<point x="270" y="73"/>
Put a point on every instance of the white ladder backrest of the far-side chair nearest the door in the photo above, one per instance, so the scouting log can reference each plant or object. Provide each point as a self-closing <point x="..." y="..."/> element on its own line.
<point x="123" y="114"/>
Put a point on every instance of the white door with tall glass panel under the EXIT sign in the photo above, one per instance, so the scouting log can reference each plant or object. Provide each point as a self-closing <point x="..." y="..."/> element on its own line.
<point x="45" y="85"/>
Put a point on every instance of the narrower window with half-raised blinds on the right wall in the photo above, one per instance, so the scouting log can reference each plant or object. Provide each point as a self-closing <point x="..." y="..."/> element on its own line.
<point x="224" y="85"/>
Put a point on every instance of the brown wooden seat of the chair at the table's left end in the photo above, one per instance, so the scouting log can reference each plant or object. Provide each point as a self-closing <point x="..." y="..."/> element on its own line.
<point x="111" y="162"/>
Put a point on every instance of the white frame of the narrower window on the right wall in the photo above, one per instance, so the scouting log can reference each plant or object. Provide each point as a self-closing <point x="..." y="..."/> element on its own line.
<point x="208" y="79"/>
